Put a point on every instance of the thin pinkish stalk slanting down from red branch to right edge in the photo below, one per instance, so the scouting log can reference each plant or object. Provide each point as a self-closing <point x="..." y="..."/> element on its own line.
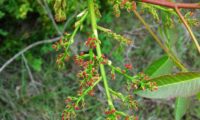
<point x="188" y="28"/>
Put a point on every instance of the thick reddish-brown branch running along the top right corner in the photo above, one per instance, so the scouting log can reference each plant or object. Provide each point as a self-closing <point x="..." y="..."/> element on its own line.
<point x="173" y="4"/>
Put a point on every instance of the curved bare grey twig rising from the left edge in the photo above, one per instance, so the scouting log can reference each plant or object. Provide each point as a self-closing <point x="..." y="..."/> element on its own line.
<point x="26" y="49"/>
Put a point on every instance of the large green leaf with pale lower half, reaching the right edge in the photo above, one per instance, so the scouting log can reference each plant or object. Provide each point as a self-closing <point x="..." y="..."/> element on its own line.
<point x="169" y="86"/>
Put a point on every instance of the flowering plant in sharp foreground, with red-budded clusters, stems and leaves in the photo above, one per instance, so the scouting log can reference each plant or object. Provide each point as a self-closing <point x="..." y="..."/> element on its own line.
<point x="92" y="64"/>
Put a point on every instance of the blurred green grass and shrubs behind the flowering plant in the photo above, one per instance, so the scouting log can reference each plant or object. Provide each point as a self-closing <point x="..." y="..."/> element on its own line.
<point x="32" y="87"/>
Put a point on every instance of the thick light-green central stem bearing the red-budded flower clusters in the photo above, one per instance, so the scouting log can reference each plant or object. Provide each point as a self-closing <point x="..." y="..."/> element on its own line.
<point x="98" y="49"/>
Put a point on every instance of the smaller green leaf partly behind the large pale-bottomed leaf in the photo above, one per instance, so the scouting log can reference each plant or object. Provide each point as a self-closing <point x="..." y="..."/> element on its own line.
<point x="159" y="67"/>
